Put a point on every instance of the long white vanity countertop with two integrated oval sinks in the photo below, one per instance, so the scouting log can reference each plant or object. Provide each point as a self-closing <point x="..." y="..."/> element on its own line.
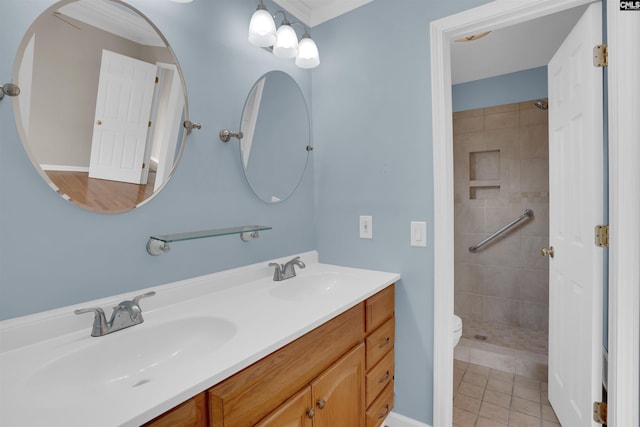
<point x="250" y="316"/>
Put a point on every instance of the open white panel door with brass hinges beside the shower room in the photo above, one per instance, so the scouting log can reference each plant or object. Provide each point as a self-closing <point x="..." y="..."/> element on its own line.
<point x="576" y="206"/>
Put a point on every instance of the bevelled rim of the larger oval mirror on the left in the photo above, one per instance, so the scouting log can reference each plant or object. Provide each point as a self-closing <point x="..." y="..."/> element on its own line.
<point x="18" y="116"/>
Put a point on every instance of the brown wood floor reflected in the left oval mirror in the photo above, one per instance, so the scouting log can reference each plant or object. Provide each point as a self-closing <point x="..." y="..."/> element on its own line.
<point x="101" y="195"/>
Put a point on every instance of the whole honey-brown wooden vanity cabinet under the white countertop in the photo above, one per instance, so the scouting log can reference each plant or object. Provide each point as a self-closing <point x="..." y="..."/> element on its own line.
<point x="339" y="374"/>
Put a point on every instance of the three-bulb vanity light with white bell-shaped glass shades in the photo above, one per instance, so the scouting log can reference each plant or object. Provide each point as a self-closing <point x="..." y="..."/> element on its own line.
<point x="284" y="40"/>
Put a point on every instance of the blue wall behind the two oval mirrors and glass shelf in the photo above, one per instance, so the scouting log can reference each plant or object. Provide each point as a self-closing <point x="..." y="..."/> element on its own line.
<point x="54" y="254"/>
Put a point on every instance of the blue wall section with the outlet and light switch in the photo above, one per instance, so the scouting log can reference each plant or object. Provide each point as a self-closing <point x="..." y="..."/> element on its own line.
<point x="373" y="156"/>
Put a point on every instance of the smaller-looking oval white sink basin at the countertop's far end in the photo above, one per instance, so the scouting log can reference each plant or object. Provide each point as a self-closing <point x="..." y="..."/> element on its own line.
<point x="315" y="285"/>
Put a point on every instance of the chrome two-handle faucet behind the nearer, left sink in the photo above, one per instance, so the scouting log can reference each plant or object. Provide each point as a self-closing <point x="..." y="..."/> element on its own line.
<point x="125" y="314"/>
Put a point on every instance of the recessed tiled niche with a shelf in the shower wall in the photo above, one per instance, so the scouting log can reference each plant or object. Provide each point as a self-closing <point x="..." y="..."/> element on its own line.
<point x="484" y="175"/>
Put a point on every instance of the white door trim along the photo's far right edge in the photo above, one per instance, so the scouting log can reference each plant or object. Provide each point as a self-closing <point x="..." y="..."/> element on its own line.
<point x="624" y="210"/>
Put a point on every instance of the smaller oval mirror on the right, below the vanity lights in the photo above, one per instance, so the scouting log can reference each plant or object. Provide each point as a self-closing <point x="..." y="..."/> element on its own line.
<point x="277" y="134"/>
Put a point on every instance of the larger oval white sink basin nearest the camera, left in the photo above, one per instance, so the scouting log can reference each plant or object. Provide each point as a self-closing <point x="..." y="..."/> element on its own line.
<point x="126" y="359"/>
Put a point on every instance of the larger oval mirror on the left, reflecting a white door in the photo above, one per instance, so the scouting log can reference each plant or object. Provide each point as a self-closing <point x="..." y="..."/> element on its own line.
<point x="102" y="104"/>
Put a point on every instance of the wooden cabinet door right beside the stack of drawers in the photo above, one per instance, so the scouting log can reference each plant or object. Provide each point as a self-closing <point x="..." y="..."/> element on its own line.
<point x="338" y="393"/>
